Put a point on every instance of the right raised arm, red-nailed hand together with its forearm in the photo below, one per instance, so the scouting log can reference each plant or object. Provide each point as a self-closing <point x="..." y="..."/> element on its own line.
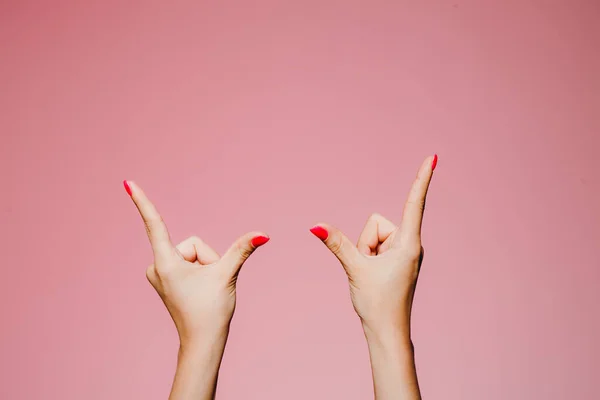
<point x="382" y="271"/>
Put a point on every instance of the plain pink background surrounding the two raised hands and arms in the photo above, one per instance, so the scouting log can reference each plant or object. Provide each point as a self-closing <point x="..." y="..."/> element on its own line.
<point x="268" y="115"/>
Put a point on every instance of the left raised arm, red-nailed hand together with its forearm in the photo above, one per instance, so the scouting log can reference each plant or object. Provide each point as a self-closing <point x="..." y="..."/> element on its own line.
<point x="199" y="290"/>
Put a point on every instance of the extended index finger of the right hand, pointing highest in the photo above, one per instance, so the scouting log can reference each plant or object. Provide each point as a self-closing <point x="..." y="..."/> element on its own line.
<point x="412" y="217"/>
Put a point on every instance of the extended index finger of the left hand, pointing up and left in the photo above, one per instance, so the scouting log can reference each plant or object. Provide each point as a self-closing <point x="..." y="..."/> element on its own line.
<point x="155" y="226"/>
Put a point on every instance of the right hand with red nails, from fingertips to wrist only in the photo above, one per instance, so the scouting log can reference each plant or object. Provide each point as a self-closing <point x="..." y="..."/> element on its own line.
<point x="383" y="267"/>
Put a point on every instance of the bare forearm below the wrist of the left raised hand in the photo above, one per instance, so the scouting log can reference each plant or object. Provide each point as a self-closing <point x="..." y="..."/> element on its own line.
<point x="198" y="366"/>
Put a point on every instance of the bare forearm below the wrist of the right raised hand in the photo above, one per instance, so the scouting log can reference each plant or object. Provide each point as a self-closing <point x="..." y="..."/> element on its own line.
<point x="392" y="362"/>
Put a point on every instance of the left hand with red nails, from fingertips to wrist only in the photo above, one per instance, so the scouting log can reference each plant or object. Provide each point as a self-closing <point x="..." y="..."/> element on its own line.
<point x="196" y="285"/>
